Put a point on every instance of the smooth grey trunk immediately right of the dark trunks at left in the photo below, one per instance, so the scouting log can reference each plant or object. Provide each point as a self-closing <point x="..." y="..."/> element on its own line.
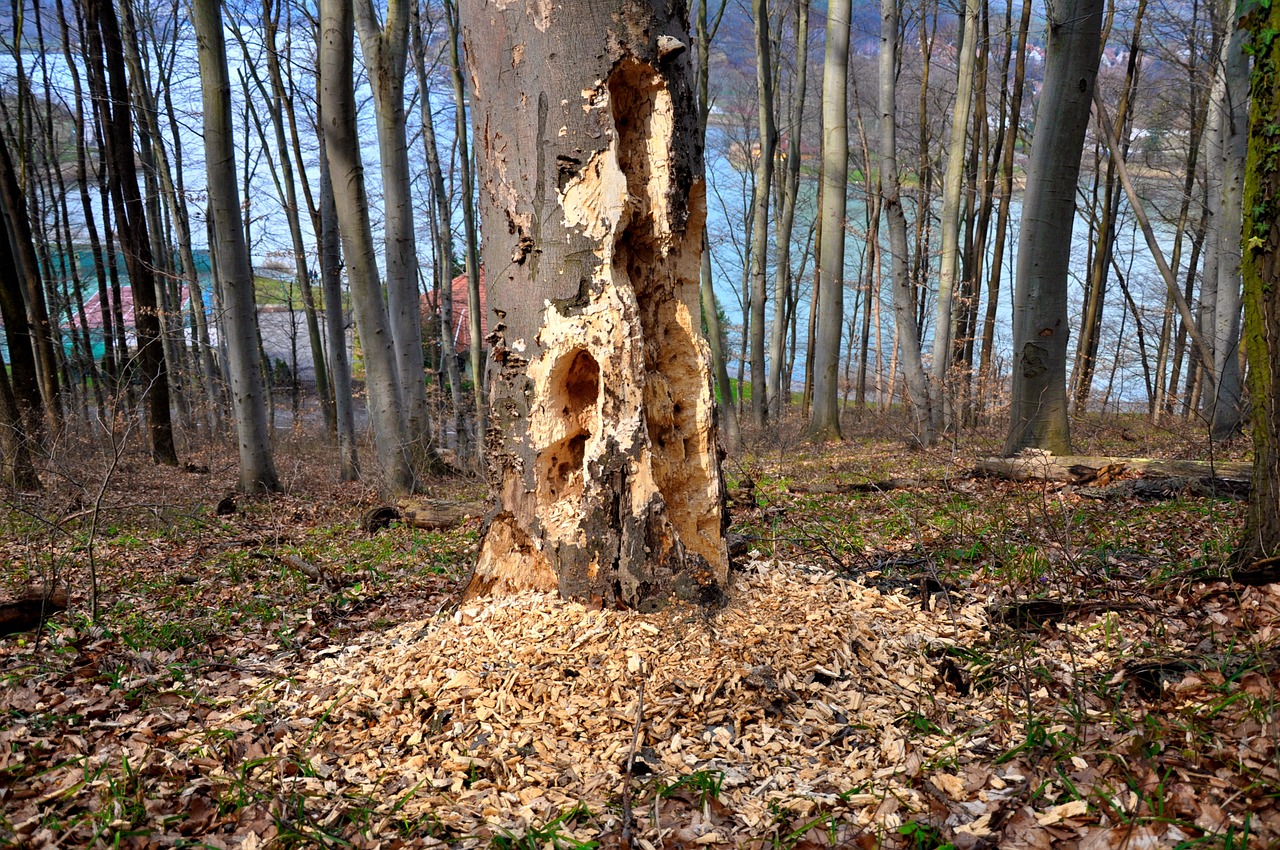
<point x="257" y="470"/>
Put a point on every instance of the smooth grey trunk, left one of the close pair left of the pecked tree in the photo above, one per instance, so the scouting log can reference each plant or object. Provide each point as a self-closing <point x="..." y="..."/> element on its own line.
<point x="348" y="172"/>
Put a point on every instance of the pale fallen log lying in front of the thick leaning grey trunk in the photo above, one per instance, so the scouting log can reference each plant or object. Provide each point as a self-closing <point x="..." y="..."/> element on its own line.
<point x="1078" y="469"/>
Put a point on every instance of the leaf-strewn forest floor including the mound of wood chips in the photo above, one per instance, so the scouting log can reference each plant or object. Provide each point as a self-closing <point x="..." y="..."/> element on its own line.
<point x="954" y="661"/>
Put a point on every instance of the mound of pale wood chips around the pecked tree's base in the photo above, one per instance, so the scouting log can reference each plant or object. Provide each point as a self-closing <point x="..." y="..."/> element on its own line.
<point x="807" y="693"/>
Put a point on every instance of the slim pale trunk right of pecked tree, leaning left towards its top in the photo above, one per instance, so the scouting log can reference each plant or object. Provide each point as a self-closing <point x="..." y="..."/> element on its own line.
<point x="904" y="300"/>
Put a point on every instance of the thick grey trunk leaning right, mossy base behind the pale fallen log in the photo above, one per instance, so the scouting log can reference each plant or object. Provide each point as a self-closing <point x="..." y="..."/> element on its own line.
<point x="1040" y="415"/>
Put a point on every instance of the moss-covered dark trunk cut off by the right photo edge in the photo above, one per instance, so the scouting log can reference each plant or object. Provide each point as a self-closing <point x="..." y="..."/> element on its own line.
<point x="1261" y="272"/>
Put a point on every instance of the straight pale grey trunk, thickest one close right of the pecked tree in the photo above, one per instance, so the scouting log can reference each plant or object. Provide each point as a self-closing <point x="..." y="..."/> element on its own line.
<point x="825" y="424"/>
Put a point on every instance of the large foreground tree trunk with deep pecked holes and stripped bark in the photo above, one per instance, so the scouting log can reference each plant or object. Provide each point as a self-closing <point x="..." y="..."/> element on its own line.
<point x="604" y="453"/>
